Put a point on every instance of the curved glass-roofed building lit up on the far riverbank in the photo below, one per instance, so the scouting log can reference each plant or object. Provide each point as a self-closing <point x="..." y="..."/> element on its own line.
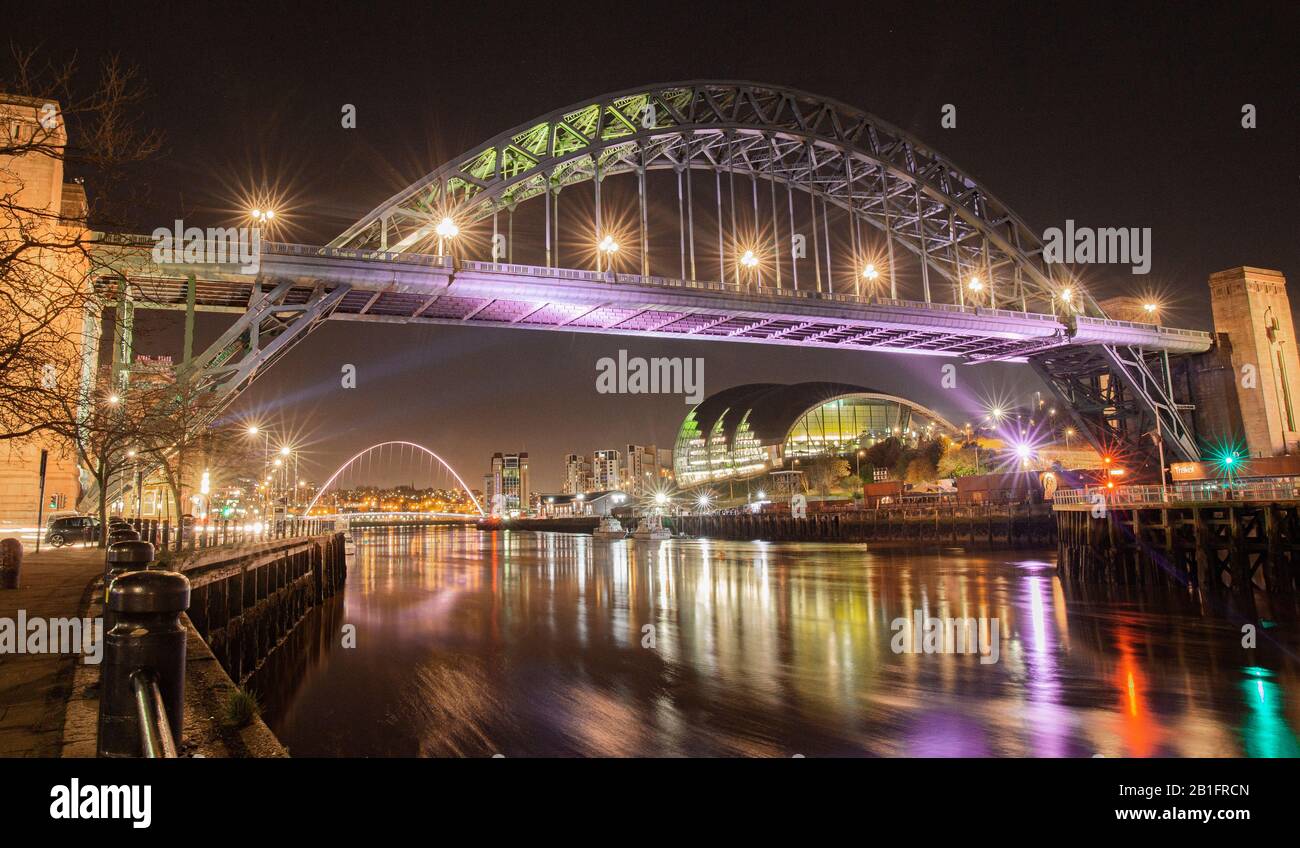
<point x="755" y="429"/>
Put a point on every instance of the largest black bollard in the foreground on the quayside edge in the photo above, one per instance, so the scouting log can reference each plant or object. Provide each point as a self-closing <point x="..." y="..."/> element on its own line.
<point x="144" y="650"/>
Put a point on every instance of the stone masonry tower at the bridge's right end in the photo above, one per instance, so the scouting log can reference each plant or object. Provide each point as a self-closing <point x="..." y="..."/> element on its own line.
<point x="1251" y="306"/>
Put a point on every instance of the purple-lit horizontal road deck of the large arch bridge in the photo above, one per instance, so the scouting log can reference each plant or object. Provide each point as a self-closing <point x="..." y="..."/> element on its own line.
<point x="404" y="288"/>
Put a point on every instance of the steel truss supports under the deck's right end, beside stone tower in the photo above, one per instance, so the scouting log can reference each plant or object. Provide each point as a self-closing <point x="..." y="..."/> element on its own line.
<point x="1120" y="397"/>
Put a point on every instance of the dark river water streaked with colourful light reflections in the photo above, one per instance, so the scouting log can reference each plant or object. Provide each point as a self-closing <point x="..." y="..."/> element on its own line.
<point x="538" y="644"/>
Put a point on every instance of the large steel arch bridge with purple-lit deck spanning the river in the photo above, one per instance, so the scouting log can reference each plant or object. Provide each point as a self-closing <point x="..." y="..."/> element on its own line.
<point x="942" y="233"/>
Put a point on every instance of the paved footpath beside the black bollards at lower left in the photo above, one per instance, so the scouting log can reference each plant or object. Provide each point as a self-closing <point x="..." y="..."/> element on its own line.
<point x="36" y="689"/>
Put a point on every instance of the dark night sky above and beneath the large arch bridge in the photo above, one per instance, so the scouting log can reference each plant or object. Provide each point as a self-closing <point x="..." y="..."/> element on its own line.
<point x="1112" y="116"/>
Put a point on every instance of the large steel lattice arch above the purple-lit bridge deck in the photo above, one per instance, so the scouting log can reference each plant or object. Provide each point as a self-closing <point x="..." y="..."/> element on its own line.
<point x="851" y="159"/>
